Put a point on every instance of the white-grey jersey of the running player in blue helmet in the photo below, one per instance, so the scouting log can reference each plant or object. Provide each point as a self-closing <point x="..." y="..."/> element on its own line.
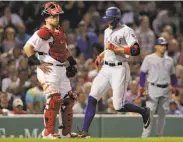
<point x="122" y="36"/>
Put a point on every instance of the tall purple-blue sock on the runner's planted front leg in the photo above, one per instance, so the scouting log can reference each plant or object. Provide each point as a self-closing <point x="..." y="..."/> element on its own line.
<point x="90" y="113"/>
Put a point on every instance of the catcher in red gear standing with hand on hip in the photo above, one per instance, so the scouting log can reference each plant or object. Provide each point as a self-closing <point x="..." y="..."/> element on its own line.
<point x="47" y="49"/>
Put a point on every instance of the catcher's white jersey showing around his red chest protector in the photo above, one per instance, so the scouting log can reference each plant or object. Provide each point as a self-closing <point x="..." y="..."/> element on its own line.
<point x="41" y="45"/>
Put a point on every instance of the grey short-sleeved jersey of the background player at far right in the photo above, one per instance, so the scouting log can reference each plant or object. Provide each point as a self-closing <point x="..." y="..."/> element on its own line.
<point x="159" y="69"/>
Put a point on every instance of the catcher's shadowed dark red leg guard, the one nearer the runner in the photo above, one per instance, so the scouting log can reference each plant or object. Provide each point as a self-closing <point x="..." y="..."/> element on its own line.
<point x="67" y="114"/>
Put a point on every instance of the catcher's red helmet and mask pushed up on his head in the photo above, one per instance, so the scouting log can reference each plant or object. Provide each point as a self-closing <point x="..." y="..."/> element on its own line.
<point x="51" y="8"/>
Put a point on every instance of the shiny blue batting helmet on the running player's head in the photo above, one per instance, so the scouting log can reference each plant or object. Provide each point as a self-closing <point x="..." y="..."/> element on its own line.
<point x="114" y="14"/>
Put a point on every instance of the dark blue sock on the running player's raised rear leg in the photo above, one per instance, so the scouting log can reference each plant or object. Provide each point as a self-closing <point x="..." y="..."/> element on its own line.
<point x="129" y="107"/>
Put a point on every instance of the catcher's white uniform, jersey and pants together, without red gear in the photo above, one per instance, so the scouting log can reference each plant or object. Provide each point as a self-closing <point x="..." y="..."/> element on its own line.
<point x="56" y="80"/>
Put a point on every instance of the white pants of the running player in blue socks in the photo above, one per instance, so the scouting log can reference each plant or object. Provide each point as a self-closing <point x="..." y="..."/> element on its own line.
<point x="117" y="78"/>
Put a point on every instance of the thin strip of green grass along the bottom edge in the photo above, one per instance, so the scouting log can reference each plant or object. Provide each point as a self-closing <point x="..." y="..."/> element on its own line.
<point x="165" y="139"/>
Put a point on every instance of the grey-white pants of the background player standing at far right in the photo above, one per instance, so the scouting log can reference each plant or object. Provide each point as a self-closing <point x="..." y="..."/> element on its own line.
<point x="159" y="103"/>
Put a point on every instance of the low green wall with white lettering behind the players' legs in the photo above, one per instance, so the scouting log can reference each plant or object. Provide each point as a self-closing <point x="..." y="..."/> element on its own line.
<point x="102" y="126"/>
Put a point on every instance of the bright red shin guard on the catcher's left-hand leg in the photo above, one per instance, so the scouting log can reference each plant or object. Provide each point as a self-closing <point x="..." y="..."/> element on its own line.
<point x="50" y="113"/>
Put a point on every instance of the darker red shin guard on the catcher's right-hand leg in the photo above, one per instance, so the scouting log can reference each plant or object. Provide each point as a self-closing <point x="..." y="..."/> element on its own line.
<point x="66" y="115"/>
